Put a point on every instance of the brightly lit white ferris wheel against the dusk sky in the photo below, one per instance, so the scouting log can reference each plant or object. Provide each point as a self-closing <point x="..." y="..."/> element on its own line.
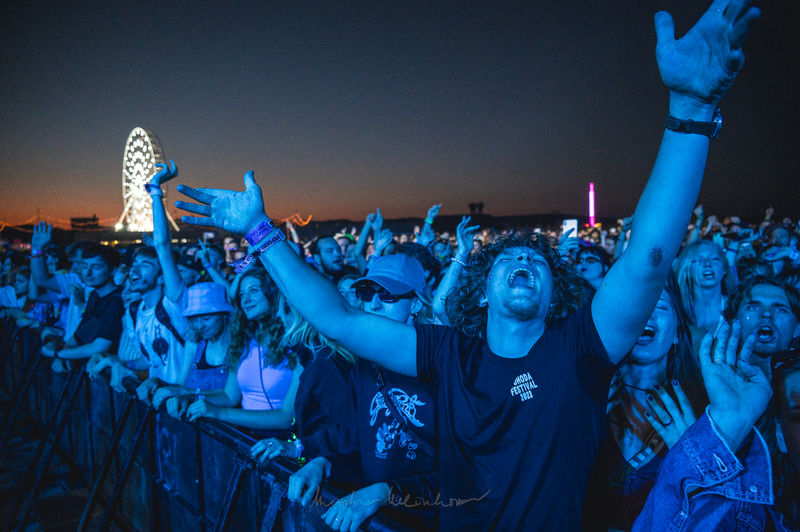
<point x="142" y="153"/>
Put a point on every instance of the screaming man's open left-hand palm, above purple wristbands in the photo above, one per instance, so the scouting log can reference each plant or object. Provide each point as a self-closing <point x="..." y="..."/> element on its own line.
<point x="235" y="212"/>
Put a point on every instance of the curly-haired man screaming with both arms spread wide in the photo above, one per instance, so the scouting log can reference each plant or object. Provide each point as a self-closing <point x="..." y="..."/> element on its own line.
<point x="523" y="387"/>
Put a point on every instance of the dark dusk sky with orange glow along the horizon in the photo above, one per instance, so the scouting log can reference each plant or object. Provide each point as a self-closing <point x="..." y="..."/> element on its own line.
<point x="342" y="108"/>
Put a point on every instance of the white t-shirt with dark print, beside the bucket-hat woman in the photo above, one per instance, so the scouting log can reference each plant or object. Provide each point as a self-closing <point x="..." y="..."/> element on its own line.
<point x="152" y="334"/>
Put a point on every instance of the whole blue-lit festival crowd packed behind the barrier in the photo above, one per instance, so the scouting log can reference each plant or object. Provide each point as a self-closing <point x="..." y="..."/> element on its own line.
<point x="642" y="376"/>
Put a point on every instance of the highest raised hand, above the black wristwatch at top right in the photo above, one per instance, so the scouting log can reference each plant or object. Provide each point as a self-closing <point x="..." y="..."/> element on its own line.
<point x="703" y="63"/>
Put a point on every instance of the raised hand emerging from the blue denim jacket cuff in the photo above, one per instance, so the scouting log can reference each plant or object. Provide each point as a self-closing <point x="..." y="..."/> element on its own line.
<point x="738" y="390"/>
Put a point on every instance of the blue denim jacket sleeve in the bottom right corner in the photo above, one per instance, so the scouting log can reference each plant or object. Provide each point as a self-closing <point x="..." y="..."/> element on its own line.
<point x="703" y="485"/>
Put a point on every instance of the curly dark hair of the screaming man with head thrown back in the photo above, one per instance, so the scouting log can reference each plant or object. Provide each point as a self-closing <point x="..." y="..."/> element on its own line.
<point x="462" y="304"/>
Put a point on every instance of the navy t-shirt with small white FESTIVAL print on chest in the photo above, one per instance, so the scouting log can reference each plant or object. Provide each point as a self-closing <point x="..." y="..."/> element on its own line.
<point x="517" y="437"/>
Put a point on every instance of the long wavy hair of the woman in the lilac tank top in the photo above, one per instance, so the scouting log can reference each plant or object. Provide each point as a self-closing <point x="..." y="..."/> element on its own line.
<point x="267" y="331"/>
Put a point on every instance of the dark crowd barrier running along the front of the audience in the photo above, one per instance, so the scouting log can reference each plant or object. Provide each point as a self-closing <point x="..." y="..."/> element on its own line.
<point x="146" y="469"/>
